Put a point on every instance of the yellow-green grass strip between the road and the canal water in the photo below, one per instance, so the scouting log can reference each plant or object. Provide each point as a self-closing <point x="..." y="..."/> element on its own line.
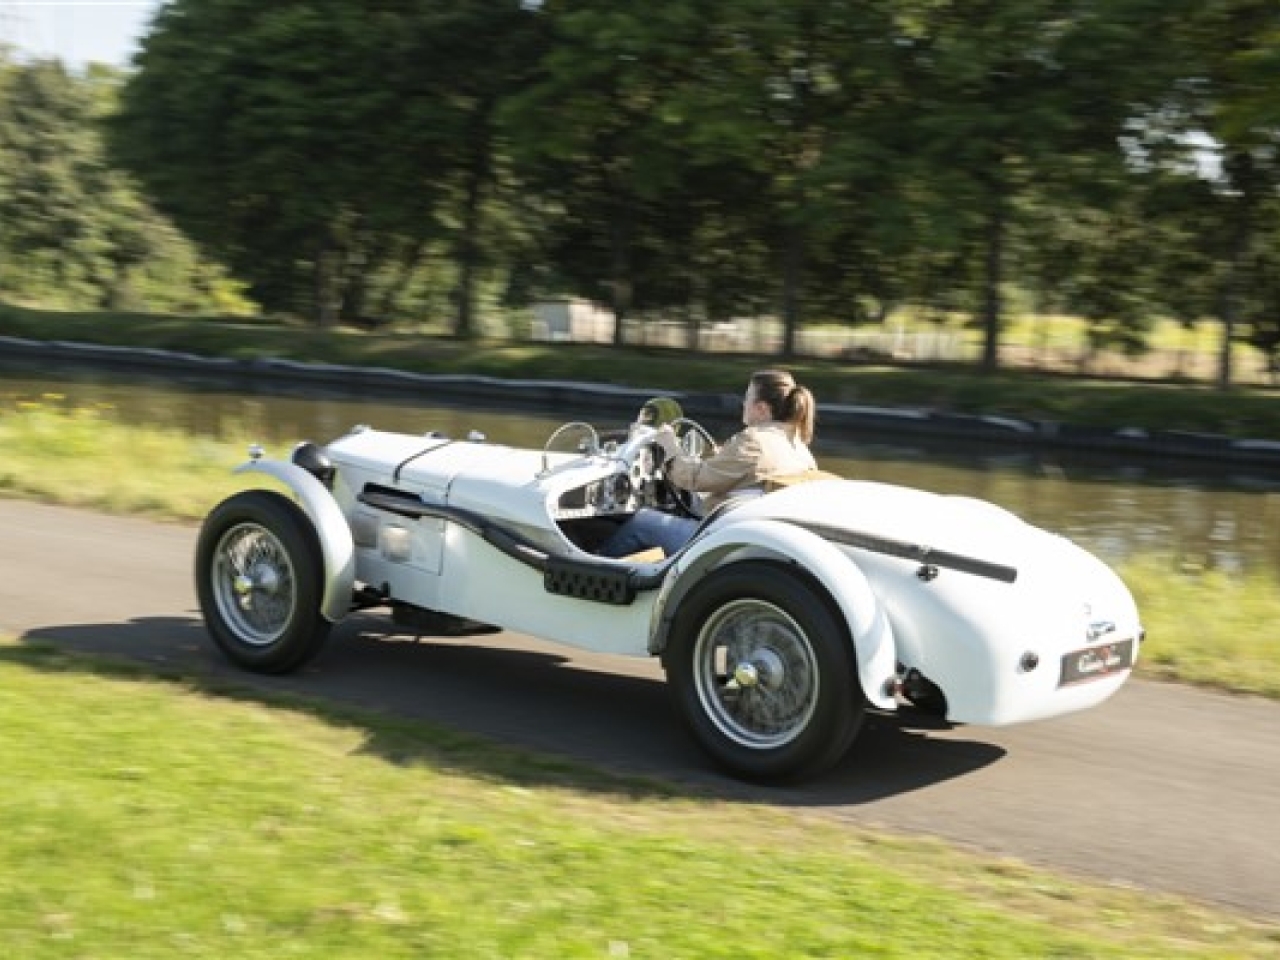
<point x="1205" y="627"/>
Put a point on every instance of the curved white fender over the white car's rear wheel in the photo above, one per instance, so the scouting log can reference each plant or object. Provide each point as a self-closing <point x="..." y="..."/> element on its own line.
<point x="839" y="575"/>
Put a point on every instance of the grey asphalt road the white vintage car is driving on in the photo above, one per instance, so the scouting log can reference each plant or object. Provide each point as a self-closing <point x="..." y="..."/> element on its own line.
<point x="1164" y="788"/>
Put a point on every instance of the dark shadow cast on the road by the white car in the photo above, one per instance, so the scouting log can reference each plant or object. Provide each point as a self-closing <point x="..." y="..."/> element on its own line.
<point x="527" y="700"/>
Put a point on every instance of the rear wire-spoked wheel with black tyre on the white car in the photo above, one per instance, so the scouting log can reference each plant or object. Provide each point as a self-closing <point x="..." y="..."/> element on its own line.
<point x="764" y="673"/>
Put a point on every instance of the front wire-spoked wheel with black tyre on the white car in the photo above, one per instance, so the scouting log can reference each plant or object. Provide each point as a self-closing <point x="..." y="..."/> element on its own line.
<point x="260" y="580"/>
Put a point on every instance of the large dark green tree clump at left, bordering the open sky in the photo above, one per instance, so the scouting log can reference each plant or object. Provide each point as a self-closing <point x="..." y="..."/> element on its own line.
<point x="321" y="147"/>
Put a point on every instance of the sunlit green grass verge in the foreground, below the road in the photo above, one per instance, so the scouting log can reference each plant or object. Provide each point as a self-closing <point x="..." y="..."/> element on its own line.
<point x="150" y="819"/>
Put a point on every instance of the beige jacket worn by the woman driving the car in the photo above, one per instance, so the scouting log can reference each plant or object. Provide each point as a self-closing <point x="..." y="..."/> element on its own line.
<point x="747" y="460"/>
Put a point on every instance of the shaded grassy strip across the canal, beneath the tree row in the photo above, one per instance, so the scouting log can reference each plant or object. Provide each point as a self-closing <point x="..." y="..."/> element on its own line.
<point x="1252" y="413"/>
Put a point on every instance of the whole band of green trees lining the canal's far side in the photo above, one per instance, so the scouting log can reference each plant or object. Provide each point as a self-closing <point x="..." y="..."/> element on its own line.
<point x="692" y="161"/>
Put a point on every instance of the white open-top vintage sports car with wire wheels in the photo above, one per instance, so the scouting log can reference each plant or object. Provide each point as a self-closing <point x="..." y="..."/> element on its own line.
<point x="787" y="618"/>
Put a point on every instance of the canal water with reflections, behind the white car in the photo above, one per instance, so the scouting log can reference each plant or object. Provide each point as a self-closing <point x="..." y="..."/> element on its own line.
<point x="1205" y="518"/>
